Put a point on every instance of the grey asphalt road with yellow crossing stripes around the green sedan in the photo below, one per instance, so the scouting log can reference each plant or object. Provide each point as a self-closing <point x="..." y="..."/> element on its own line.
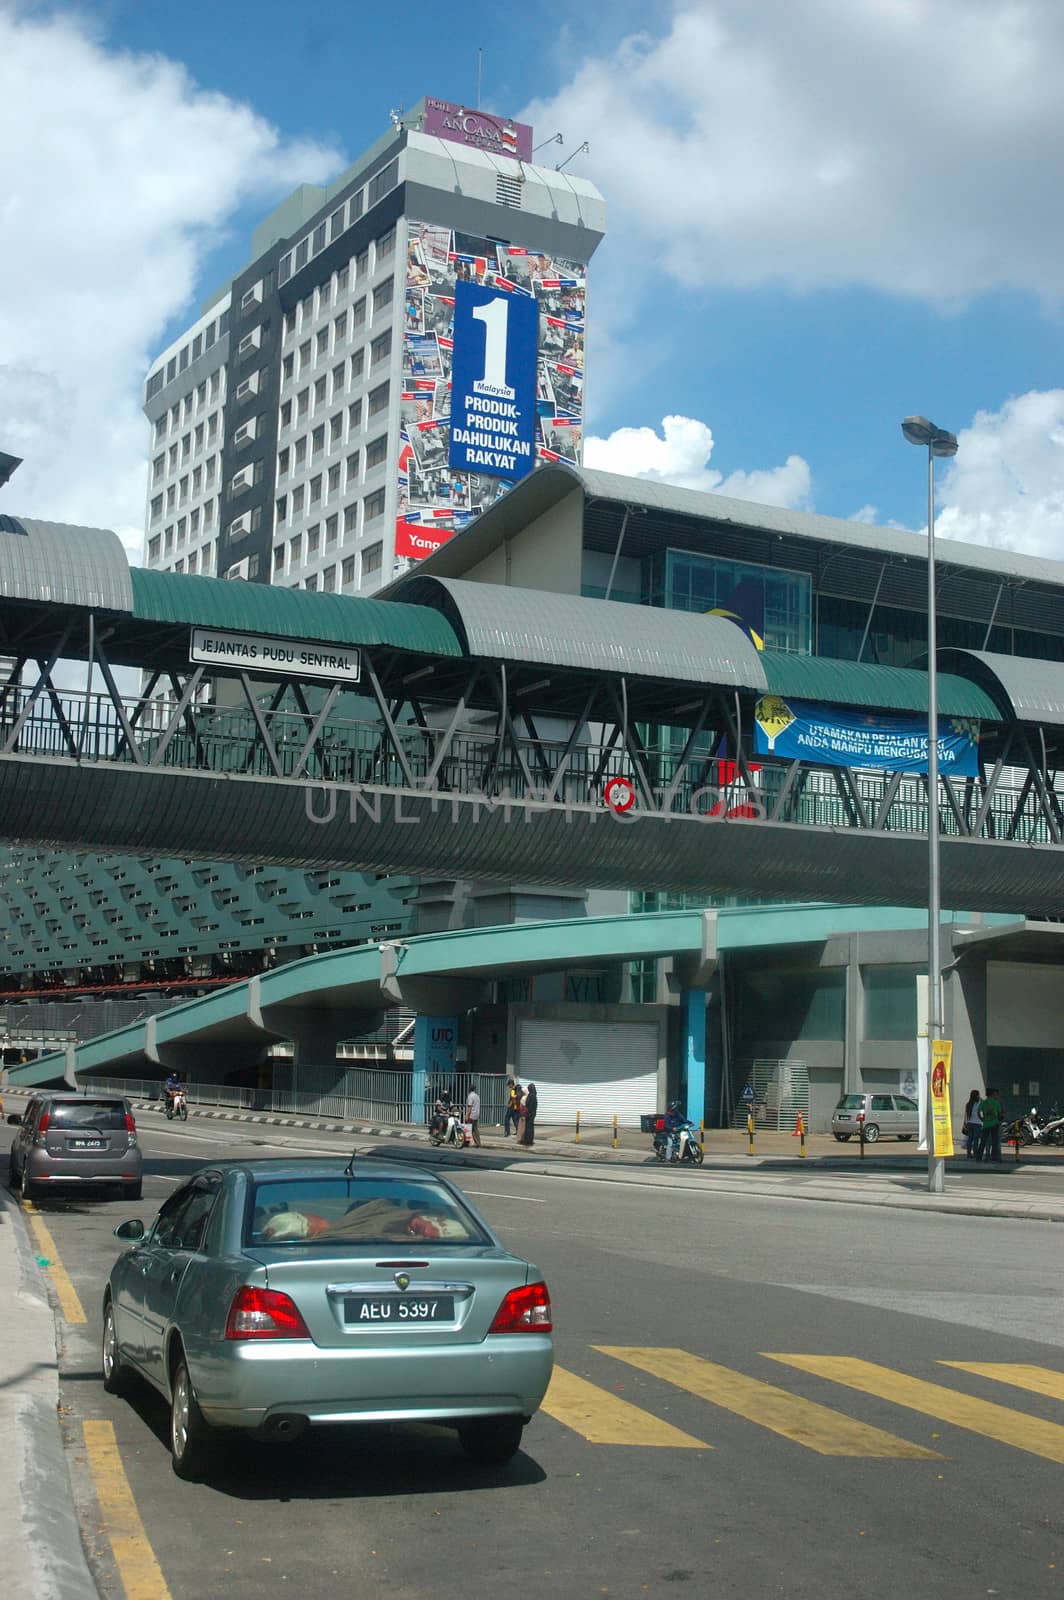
<point x="676" y="1454"/>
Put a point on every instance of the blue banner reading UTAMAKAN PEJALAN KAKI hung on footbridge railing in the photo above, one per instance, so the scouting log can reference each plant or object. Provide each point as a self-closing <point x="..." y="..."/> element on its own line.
<point x="794" y="730"/>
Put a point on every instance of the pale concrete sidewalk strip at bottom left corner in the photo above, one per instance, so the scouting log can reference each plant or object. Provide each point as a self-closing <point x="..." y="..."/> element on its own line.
<point x="39" y="1534"/>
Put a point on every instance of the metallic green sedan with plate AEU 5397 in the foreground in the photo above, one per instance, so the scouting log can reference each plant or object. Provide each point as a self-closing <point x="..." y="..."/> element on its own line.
<point x="279" y="1294"/>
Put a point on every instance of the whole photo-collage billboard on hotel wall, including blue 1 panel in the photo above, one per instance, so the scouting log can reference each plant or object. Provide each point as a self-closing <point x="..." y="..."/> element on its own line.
<point x="446" y="482"/>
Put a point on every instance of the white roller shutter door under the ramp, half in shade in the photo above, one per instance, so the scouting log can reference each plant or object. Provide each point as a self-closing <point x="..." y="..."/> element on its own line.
<point x="601" y="1070"/>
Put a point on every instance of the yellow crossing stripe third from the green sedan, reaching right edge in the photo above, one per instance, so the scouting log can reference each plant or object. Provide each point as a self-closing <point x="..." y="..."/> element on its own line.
<point x="983" y="1417"/>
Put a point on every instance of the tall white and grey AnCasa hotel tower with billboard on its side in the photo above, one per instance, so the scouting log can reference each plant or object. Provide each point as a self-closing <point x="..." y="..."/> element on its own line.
<point x="302" y="426"/>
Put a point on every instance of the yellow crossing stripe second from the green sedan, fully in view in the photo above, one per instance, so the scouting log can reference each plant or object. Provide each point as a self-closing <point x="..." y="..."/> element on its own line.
<point x="807" y="1423"/>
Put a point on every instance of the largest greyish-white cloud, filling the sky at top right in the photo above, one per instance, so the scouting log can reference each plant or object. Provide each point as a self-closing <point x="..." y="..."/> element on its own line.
<point x="910" y="146"/>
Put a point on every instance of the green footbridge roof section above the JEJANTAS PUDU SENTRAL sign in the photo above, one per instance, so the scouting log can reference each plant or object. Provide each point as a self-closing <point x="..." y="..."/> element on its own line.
<point x="289" y="614"/>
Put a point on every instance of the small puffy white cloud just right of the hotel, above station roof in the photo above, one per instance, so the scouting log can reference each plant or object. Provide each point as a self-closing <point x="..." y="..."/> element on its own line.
<point x="681" y="455"/>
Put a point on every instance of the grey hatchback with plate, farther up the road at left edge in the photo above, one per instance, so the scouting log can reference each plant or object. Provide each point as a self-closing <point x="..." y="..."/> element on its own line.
<point x="70" y="1138"/>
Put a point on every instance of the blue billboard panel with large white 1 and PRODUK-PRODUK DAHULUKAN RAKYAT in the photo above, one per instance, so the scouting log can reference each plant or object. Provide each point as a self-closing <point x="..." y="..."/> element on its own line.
<point x="494" y="382"/>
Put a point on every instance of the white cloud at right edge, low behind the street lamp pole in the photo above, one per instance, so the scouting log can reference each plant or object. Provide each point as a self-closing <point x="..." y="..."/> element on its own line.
<point x="1006" y="486"/>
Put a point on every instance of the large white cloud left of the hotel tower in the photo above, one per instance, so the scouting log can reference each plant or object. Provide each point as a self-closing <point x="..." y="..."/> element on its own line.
<point x="121" y="177"/>
